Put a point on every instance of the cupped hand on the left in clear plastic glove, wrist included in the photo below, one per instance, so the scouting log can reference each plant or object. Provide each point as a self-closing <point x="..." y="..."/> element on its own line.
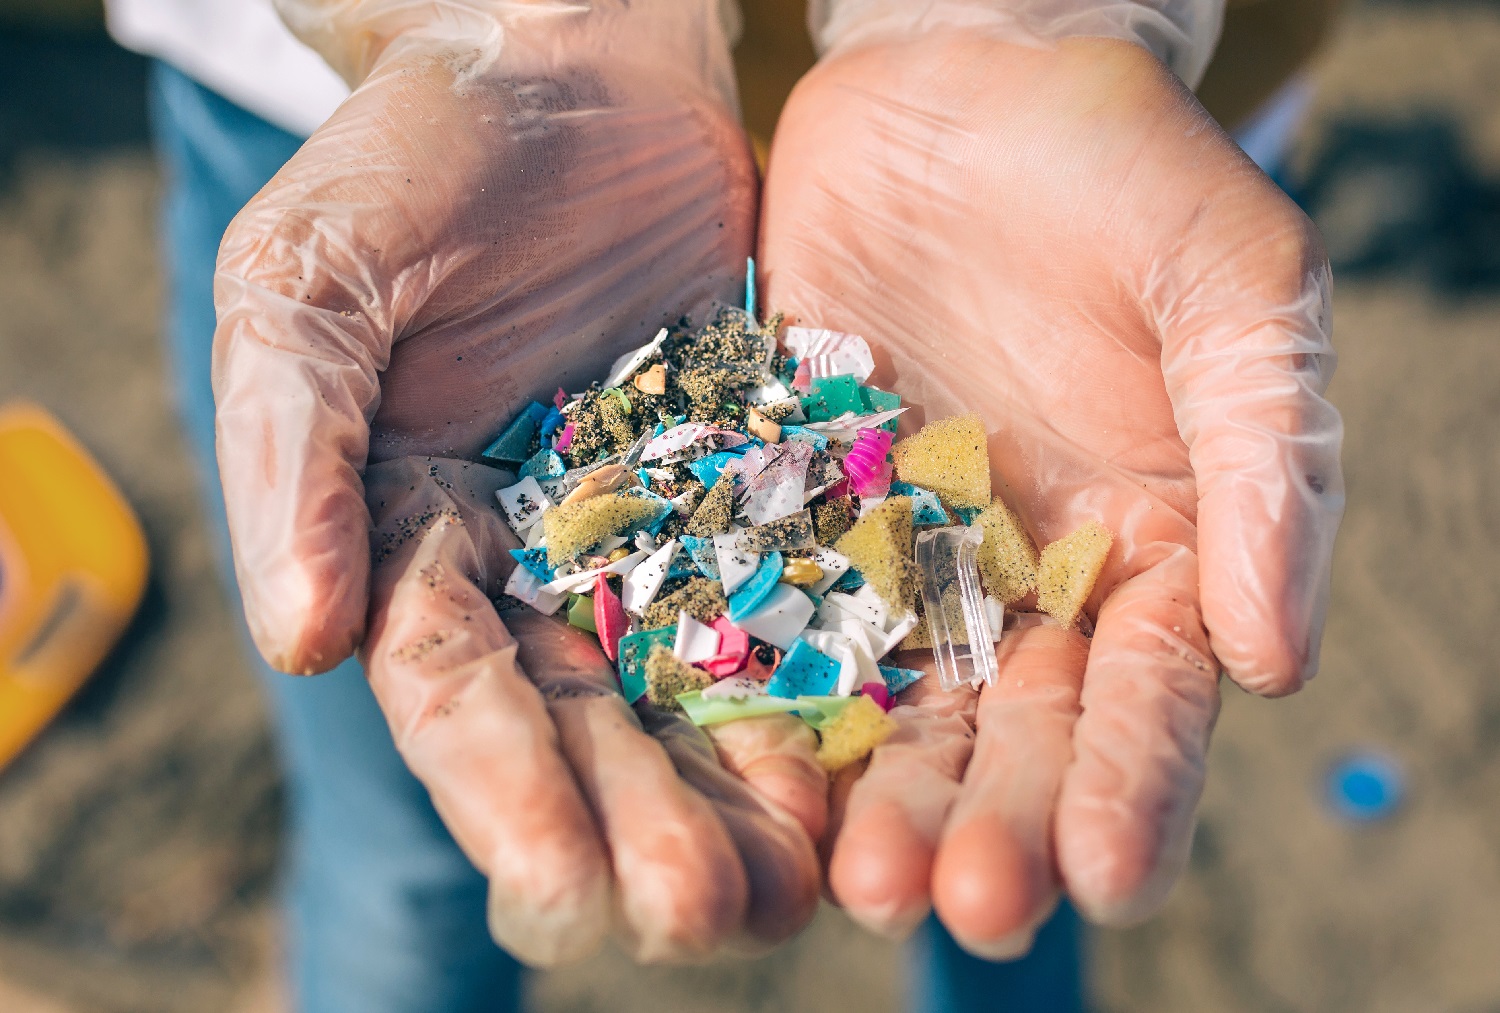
<point x="473" y="229"/>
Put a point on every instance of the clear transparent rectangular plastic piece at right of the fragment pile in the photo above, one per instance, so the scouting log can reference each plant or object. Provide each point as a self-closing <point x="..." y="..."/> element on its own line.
<point x="953" y="604"/>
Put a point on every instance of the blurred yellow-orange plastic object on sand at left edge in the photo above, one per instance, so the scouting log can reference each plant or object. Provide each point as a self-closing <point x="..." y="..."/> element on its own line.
<point x="73" y="571"/>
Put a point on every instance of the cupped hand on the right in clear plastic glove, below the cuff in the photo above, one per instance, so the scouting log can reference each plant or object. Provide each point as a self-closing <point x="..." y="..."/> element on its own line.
<point x="1063" y="241"/>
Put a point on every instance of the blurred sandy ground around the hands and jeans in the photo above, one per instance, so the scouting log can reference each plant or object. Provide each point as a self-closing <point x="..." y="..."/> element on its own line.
<point x="139" y="837"/>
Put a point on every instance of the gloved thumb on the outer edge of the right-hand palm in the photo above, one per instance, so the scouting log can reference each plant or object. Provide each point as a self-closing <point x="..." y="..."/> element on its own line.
<point x="1247" y="358"/>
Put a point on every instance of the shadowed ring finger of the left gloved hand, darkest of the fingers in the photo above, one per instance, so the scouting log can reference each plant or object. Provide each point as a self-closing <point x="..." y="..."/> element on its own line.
<point x="779" y="862"/>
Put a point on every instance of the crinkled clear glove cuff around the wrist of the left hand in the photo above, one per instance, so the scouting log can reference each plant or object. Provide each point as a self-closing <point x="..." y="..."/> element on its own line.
<point x="691" y="37"/>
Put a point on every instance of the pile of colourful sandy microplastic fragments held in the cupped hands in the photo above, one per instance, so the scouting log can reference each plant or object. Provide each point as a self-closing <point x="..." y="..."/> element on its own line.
<point x="745" y="535"/>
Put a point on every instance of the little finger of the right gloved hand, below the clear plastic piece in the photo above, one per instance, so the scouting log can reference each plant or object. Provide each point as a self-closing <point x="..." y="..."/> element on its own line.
<point x="893" y="816"/>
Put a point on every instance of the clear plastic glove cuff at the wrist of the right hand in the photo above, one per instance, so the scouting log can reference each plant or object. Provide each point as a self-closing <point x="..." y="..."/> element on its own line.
<point x="1181" y="34"/>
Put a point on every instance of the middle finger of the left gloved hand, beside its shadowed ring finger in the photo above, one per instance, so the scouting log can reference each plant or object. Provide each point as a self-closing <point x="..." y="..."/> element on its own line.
<point x="679" y="880"/>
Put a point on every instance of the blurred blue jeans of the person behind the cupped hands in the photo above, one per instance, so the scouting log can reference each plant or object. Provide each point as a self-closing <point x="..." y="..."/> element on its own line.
<point x="386" y="915"/>
